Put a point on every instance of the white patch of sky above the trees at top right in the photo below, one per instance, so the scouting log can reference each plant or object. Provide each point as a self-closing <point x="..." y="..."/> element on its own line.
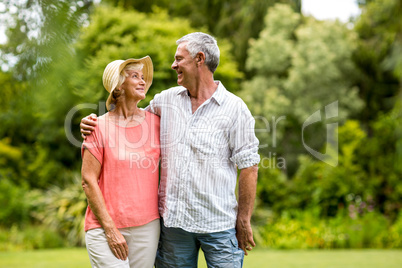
<point x="331" y="9"/>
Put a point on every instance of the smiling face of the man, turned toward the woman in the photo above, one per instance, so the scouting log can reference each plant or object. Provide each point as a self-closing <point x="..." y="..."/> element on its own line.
<point x="184" y="65"/>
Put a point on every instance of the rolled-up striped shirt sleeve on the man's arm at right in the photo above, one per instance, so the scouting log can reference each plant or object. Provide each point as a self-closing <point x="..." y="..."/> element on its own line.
<point x="243" y="142"/>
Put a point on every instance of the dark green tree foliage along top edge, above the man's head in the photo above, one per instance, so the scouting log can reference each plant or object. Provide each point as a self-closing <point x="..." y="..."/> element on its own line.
<point x="236" y="21"/>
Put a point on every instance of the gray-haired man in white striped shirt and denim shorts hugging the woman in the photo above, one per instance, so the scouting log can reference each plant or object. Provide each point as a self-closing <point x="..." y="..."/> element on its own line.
<point x="207" y="133"/>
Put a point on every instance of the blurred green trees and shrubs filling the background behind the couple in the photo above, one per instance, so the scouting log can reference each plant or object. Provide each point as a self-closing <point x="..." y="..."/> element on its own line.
<point x="285" y="65"/>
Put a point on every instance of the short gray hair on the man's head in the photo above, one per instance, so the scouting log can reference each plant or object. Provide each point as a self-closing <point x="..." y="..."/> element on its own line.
<point x="202" y="42"/>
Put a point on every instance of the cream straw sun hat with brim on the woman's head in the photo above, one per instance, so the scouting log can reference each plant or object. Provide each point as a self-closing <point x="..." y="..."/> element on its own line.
<point x="113" y="70"/>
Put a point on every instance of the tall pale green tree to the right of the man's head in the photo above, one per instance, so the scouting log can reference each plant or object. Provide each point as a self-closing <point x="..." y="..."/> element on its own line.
<point x="301" y="65"/>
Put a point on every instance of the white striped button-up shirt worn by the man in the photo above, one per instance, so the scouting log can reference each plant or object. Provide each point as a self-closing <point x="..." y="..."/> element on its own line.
<point x="201" y="152"/>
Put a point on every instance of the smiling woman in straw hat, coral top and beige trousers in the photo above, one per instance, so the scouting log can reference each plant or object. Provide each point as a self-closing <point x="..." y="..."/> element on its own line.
<point x="120" y="172"/>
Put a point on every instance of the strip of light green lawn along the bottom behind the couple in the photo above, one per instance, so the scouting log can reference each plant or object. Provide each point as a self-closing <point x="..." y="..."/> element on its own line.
<point x="76" y="258"/>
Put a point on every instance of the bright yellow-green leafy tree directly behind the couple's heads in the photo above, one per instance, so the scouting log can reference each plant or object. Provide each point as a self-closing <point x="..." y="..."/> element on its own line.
<point x="114" y="34"/>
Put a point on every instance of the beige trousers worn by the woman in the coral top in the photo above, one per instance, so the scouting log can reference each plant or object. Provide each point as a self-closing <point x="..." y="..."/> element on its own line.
<point x="142" y="244"/>
